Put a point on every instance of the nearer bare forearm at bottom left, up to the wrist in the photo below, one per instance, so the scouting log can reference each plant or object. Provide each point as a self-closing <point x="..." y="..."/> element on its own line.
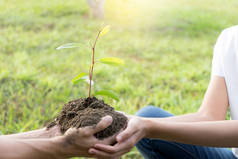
<point x="28" y="148"/>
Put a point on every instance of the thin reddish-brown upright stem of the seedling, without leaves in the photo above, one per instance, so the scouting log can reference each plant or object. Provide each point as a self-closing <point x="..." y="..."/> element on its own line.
<point x="92" y="65"/>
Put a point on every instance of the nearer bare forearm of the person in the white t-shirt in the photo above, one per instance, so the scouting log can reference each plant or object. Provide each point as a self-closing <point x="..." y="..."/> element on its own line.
<point x="216" y="133"/>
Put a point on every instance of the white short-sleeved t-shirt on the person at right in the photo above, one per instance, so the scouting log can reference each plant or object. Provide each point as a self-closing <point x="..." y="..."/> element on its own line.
<point x="225" y="64"/>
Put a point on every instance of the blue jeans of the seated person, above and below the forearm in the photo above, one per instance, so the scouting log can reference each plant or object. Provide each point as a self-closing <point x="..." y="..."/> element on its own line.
<point x="161" y="149"/>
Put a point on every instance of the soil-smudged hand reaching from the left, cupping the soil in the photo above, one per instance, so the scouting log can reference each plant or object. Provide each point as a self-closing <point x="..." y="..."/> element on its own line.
<point x="76" y="142"/>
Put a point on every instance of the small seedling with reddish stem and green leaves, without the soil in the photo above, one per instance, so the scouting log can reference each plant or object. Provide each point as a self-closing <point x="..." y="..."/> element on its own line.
<point x="84" y="77"/>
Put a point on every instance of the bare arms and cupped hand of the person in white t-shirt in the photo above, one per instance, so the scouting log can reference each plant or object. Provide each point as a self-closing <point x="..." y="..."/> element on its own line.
<point x="206" y="127"/>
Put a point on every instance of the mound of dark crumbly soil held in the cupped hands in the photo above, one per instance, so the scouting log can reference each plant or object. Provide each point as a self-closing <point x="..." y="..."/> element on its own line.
<point x="81" y="113"/>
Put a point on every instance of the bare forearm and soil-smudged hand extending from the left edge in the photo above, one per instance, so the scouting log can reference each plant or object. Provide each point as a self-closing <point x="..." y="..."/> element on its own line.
<point x="74" y="143"/>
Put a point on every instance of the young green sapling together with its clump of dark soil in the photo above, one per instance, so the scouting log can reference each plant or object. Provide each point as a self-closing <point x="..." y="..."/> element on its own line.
<point x="89" y="111"/>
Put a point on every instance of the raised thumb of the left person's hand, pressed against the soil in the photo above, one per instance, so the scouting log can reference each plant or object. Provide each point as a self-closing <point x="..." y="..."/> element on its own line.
<point x="103" y="124"/>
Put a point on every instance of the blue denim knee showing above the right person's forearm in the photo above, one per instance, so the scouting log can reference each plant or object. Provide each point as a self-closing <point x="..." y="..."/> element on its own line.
<point x="152" y="111"/>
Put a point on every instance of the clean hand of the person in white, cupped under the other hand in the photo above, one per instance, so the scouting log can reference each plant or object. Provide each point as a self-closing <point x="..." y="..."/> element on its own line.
<point x="126" y="140"/>
